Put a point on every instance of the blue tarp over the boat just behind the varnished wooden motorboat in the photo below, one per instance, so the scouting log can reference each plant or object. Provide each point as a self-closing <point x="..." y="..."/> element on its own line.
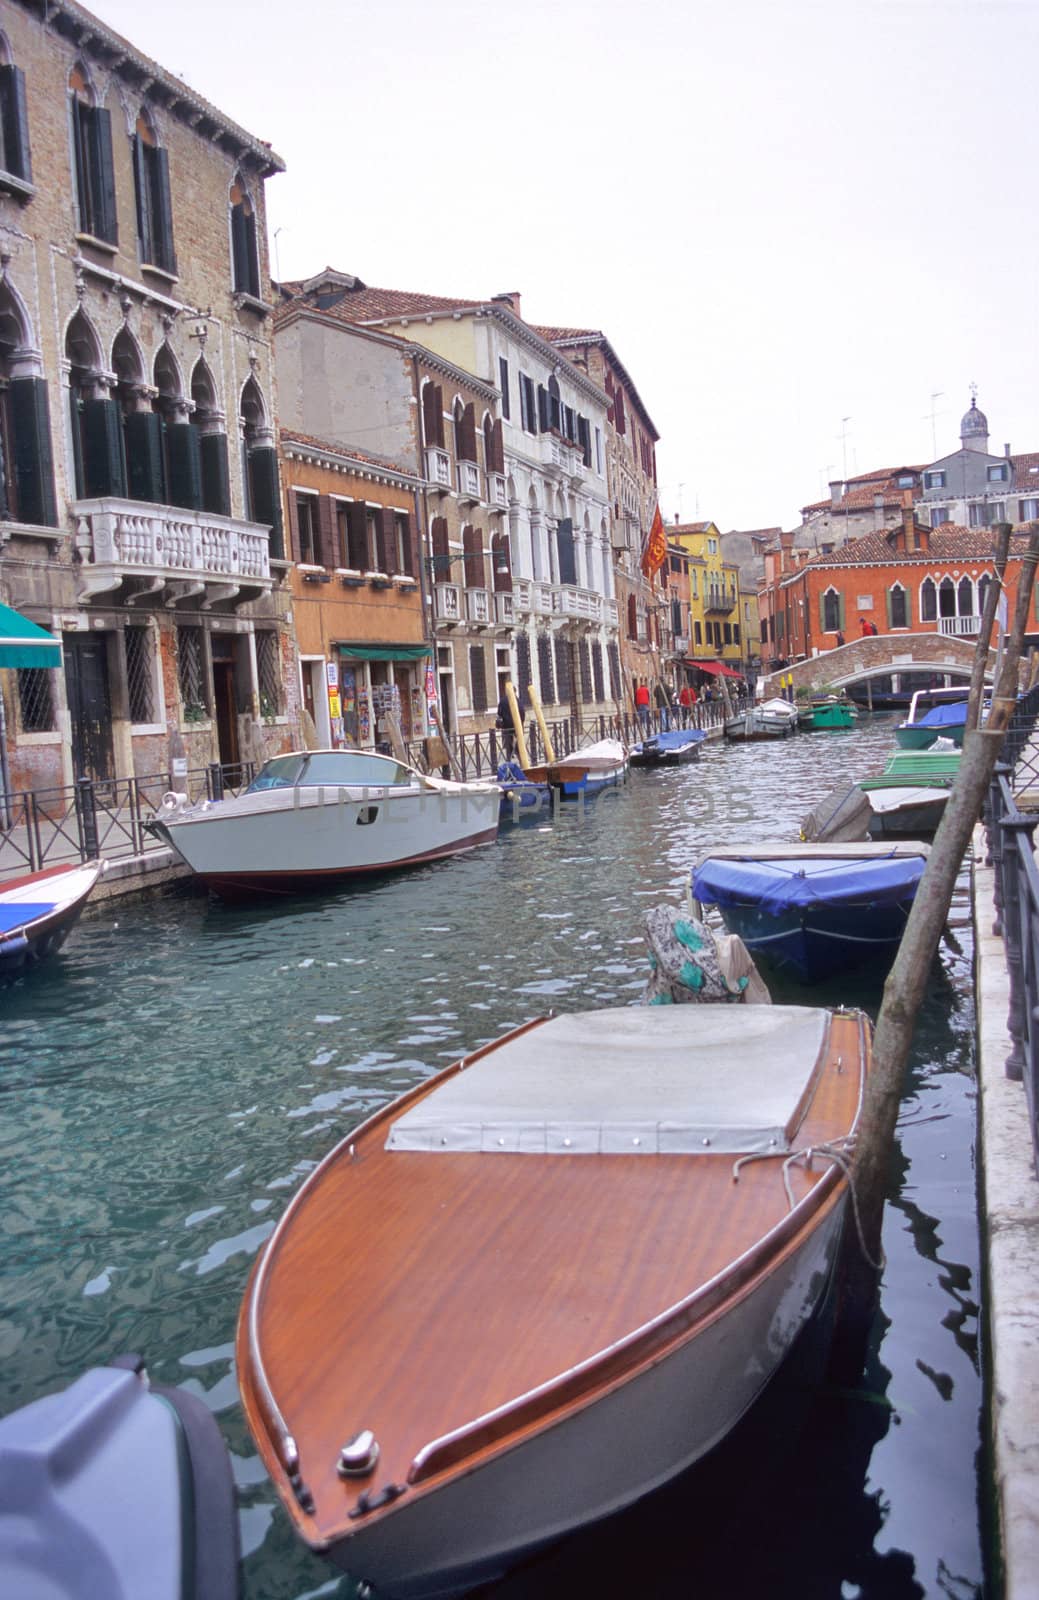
<point x="782" y="886"/>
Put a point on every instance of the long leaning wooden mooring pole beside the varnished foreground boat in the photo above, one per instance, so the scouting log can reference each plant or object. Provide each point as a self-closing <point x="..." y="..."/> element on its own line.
<point x="907" y="983"/>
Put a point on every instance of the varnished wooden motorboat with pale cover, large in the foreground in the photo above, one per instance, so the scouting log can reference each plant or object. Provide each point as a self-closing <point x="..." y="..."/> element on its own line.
<point x="545" y="1282"/>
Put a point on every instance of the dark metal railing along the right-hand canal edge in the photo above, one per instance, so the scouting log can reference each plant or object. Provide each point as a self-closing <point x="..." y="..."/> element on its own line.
<point x="1011" y="830"/>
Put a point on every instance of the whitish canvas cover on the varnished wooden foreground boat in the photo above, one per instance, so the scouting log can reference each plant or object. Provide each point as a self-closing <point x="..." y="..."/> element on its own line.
<point x="632" y="1081"/>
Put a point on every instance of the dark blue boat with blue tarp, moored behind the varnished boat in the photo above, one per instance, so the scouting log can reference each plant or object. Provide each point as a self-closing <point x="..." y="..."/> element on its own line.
<point x="812" y="911"/>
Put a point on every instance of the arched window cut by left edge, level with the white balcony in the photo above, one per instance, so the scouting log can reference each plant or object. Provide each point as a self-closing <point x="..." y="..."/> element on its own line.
<point x="26" y="465"/>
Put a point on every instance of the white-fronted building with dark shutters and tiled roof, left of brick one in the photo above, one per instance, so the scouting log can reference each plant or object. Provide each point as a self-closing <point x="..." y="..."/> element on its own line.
<point x="548" y="479"/>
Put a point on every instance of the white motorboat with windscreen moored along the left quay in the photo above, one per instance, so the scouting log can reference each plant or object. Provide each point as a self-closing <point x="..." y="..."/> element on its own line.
<point x="315" y="817"/>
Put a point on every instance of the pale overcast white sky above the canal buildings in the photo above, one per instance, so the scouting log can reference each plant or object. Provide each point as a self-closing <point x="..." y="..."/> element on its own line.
<point x="804" y="228"/>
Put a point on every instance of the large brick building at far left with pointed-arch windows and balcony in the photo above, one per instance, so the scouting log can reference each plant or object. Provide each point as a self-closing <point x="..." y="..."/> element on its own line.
<point x="140" y="518"/>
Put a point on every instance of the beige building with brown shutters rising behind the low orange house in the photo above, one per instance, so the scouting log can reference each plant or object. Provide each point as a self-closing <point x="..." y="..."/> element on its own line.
<point x="439" y="425"/>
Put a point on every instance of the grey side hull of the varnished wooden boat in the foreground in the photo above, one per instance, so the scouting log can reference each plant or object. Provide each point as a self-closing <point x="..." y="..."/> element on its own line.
<point x="587" y="1468"/>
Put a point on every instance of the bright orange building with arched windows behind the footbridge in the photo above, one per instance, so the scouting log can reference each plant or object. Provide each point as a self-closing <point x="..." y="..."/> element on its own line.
<point x="909" y="580"/>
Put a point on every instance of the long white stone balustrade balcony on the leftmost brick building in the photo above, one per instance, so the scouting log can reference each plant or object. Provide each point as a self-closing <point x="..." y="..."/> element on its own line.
<point x="169" y="553"/>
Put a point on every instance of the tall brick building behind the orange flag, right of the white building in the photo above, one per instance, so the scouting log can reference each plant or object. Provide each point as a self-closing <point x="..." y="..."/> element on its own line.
<point x="646" y="634"/>
